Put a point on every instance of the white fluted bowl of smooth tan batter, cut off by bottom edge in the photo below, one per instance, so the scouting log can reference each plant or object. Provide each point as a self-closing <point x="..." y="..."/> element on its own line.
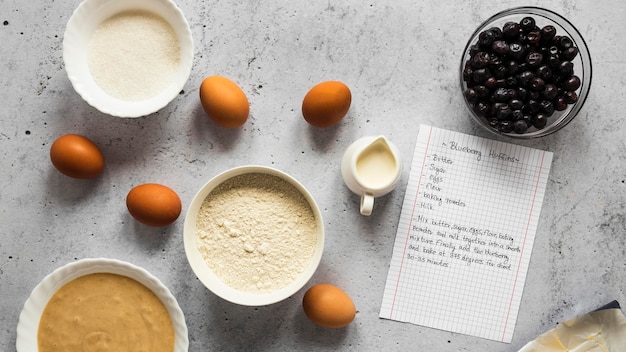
<point x="104" y="305"/>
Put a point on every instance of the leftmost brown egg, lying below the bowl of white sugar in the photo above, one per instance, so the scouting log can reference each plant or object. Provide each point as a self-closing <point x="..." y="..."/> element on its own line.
<point x="76" y="156"/>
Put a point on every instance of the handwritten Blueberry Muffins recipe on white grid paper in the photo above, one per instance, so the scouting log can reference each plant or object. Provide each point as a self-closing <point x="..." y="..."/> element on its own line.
<point x="465" y="234"/>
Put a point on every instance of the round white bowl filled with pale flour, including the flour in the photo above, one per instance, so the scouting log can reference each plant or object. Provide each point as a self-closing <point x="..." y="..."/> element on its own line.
<point x="253" y="235"/>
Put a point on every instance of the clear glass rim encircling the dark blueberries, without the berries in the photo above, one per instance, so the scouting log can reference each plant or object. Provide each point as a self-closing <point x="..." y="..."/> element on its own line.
<point x="584" y="57"/>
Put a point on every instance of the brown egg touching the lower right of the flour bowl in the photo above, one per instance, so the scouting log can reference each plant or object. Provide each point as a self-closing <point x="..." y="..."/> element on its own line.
<point x="328" y="306"/>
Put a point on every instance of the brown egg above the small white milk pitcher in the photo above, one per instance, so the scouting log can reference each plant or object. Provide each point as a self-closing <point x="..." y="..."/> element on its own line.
<point x="326" y="103"/>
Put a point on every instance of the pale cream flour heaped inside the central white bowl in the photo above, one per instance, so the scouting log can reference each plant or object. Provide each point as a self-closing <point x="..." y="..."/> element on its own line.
<point x="257" y="232"/>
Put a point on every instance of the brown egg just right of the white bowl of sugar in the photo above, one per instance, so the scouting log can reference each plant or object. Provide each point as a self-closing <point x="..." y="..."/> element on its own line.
<point x="224" y="102"/>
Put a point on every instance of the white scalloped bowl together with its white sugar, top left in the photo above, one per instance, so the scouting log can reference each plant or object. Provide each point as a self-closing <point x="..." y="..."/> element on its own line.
<point x="128" y="58"/>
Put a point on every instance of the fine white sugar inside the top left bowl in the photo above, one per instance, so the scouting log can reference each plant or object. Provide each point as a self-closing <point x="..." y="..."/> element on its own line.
<point x="133" y="55"/>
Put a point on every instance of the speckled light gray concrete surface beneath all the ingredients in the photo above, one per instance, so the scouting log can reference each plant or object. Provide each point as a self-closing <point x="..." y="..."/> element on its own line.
<point x="401" y="60"/>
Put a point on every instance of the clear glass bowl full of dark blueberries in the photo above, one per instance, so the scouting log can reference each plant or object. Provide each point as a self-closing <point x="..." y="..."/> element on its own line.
<point x="525" y="73"/>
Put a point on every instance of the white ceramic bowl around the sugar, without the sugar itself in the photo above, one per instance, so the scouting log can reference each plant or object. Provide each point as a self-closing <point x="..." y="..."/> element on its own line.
<point x="80" y="28"/>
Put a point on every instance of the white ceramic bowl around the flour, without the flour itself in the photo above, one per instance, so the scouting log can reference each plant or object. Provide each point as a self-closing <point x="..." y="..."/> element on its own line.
<point x="210" y="279"/>
